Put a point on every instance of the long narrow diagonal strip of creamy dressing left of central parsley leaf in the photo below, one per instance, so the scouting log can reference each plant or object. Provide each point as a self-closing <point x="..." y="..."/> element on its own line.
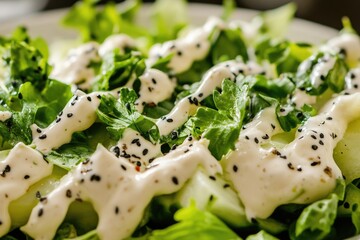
<point x="210" y="81"/>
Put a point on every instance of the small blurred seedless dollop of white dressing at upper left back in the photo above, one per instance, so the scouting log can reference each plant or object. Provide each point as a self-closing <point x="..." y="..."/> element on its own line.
<point x="117" y="41"/>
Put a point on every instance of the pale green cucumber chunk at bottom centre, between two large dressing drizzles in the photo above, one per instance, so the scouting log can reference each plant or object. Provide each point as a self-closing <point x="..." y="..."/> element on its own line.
<point x="215" y="195"/>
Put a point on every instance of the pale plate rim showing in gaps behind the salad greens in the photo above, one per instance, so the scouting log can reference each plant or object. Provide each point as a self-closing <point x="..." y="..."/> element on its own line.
<point x="47" y="24"/>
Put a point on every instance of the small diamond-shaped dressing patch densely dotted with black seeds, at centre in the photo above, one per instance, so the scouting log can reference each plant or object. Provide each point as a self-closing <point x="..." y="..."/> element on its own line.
<point x="136" y="149"/>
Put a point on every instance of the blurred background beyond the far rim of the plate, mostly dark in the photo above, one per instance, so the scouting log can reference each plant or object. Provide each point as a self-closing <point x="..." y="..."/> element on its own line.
<point x="326" y="12"/>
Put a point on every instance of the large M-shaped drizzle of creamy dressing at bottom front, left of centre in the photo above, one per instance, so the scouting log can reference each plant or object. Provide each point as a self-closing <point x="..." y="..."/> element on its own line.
<point x="118" y="192"/>
